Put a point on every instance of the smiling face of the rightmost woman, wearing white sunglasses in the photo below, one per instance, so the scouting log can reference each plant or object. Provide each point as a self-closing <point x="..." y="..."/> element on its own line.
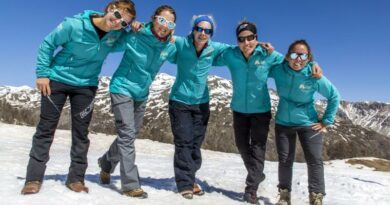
<point x="298" y="52"/>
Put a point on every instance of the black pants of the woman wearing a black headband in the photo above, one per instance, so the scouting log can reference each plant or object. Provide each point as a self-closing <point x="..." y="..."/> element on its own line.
<point x="251" y="132"/>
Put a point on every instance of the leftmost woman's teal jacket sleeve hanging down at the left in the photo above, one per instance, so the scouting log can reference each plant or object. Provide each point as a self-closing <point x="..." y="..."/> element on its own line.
<point x="58" y="37"/>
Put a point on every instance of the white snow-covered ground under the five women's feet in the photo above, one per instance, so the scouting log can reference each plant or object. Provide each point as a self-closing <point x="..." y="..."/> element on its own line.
<point x="222" y="176"/>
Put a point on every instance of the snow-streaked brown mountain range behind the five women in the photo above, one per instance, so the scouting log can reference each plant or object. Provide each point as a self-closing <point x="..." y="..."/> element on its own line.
<point x="361" y="129"/>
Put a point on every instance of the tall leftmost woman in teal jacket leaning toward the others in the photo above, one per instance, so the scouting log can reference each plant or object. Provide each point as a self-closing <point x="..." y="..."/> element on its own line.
<point x="85" y="41"/>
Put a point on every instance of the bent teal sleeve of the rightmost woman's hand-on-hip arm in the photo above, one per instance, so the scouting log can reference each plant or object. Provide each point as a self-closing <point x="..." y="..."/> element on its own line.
<point x="329" y="91"/>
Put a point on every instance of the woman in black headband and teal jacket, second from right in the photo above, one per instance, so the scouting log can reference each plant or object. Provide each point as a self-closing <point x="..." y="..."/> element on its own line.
<point x="249" y="65"/>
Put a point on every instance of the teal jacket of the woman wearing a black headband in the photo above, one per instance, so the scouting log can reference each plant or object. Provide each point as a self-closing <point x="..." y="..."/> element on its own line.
<point x="250" y="90"/>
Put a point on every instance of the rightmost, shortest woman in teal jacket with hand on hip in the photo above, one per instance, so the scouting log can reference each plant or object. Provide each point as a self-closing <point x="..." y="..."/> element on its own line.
<point x="296" y="115"/>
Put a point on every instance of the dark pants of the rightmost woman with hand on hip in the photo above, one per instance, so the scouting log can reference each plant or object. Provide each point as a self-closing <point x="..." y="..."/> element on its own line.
<point x="311" y="142"/>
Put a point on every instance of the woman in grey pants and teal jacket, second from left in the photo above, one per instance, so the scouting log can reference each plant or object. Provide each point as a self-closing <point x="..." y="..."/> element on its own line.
<point x="145" y="52"/>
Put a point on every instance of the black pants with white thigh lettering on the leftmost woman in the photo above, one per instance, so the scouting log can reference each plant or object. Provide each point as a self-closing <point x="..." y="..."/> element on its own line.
<point x="81" y="102"/>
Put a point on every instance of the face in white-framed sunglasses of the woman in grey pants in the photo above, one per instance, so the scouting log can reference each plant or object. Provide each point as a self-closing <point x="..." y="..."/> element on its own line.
<point x="161" y="22"/>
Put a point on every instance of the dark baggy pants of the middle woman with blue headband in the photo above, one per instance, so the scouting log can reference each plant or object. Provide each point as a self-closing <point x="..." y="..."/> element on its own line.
<point x="189" y="125"/>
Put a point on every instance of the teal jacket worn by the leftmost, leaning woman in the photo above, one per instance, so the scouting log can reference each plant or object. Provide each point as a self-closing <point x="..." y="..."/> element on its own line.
<point x="80" y="60"/>
